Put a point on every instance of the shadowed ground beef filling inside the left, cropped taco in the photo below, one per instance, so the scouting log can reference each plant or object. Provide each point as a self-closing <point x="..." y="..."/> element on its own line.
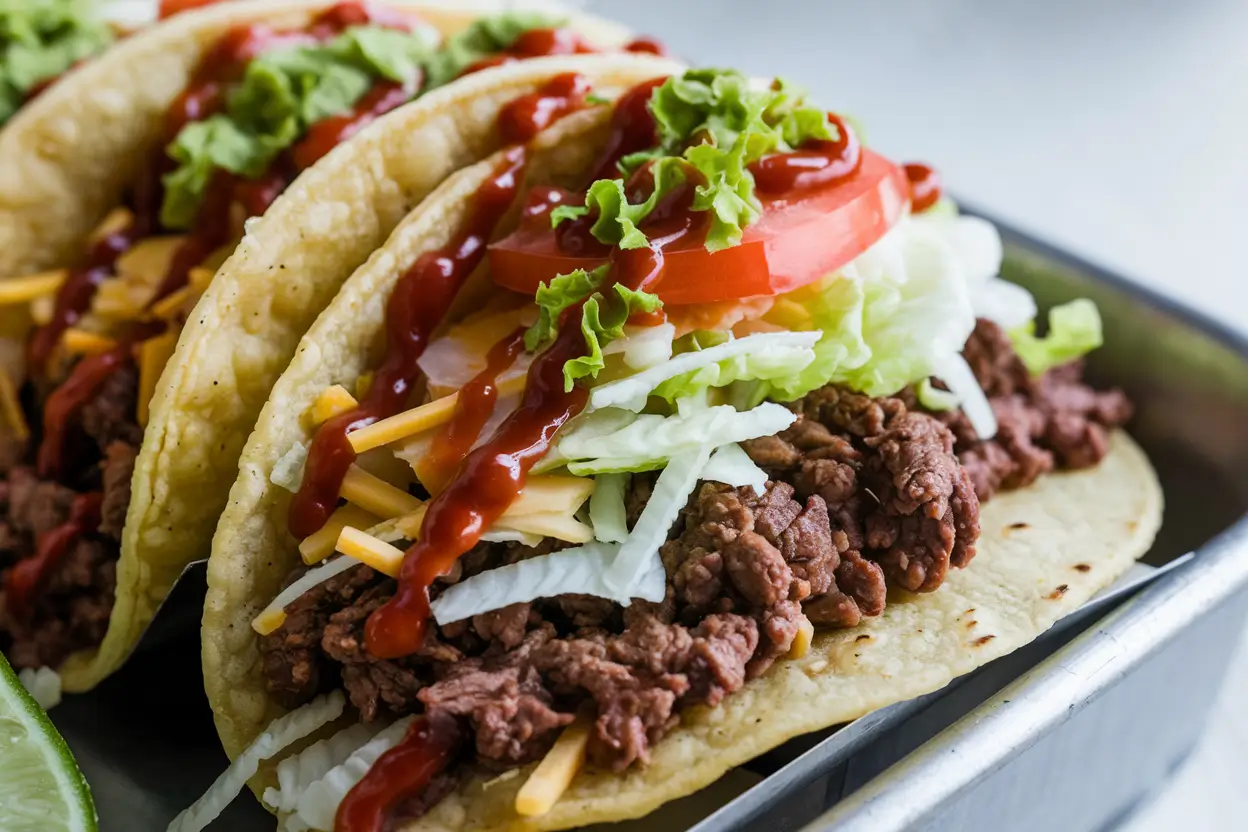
<point x="72" y="611"/>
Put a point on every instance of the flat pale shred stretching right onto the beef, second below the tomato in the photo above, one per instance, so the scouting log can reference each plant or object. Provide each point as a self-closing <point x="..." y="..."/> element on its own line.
<point x="650" y="440"/>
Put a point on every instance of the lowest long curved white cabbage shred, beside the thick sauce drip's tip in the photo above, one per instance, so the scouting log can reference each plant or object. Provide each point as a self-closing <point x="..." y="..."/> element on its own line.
<point x="581" y="571"/>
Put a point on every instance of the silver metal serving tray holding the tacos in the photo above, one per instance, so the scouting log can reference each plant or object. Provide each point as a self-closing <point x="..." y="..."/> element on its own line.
<point x="1075" y="713"/>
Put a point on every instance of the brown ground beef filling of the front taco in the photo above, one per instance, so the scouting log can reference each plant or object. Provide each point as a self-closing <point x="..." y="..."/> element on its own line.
<point x="864" y="495"/>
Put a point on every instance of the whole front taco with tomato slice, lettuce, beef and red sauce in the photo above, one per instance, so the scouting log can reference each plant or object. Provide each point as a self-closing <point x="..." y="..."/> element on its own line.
<point x="731" y="435"/>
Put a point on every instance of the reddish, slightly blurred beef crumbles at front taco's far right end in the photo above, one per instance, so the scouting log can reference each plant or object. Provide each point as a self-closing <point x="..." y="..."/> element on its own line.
<point x="1055" y="421"/>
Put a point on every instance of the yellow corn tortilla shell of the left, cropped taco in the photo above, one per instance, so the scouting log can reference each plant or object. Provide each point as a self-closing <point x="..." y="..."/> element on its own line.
<point x="67" y="162"/>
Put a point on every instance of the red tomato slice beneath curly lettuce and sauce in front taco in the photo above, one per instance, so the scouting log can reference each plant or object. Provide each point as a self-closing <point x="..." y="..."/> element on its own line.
<point x="798" y="240"/>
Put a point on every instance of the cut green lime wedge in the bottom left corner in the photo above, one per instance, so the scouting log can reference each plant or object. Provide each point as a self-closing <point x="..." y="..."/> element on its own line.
<point x="42" y="788"/>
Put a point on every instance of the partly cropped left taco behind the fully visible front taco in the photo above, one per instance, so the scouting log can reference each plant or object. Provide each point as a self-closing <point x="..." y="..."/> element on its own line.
<point x="140" y="374"/>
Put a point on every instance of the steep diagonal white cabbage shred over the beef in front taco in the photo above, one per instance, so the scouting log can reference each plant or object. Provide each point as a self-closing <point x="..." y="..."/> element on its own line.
<point x="640" y="554"/>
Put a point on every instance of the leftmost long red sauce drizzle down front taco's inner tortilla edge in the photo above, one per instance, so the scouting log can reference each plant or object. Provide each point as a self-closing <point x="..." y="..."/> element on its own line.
<point x="420" y="301"/>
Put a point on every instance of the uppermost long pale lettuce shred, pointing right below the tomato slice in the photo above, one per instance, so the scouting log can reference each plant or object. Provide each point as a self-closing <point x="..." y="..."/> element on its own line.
<point x="761" y="357"/>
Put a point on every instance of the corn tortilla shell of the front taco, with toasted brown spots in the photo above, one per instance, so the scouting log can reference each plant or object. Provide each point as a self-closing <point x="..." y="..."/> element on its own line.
<point x="1044" y="552"/>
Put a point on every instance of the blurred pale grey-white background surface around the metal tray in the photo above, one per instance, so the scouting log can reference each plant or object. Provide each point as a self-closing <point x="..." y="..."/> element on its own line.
<point x="1110" y="128"/>
